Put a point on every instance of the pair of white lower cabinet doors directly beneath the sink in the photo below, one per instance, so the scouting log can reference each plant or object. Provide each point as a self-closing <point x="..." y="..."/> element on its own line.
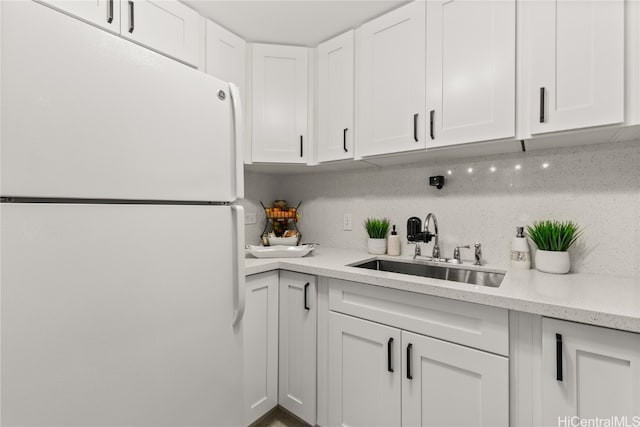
<point x="384" y="376"/>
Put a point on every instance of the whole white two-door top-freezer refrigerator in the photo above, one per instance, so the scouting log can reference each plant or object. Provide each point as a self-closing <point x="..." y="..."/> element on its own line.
<point x="121" y="249"/>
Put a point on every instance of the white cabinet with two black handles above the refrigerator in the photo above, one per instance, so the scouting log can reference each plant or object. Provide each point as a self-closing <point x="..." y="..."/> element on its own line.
<point x="166" y="26"/>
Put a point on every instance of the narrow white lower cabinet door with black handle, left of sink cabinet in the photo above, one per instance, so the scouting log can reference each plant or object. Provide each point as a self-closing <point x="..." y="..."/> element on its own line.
<point x="298" y="319"/>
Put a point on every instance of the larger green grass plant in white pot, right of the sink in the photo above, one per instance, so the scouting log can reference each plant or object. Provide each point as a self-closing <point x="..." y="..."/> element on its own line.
<point x="553" y="239"/>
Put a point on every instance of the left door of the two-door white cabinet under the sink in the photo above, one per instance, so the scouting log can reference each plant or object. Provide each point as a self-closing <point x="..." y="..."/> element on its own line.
<point x="364" y="373"/>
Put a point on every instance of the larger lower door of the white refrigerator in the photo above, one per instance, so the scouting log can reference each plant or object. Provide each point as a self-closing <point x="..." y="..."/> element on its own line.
<point x="119" y="315"/>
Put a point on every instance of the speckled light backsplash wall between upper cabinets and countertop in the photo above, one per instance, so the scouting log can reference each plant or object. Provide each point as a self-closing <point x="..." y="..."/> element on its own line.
<point x="484" y="199"/>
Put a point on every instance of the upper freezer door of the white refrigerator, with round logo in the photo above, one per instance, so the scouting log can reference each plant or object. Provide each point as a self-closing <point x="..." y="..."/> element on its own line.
<point x="86" y="114"/>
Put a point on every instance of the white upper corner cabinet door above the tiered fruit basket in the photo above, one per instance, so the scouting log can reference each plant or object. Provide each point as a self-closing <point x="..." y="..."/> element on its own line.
<point x="279" y="104"/>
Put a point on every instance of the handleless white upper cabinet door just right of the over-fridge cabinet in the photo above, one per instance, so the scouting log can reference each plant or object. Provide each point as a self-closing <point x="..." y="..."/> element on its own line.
<point x="226" y="56"/>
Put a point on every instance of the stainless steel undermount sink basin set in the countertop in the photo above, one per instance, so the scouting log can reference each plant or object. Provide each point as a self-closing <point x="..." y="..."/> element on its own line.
<point x="443" y="272"/>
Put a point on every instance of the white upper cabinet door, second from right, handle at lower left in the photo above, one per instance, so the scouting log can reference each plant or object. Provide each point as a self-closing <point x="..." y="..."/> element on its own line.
<point x="470" y="71"/>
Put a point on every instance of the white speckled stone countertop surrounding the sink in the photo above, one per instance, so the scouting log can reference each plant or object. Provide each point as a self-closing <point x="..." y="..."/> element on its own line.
<point x="602" y="300"/>
